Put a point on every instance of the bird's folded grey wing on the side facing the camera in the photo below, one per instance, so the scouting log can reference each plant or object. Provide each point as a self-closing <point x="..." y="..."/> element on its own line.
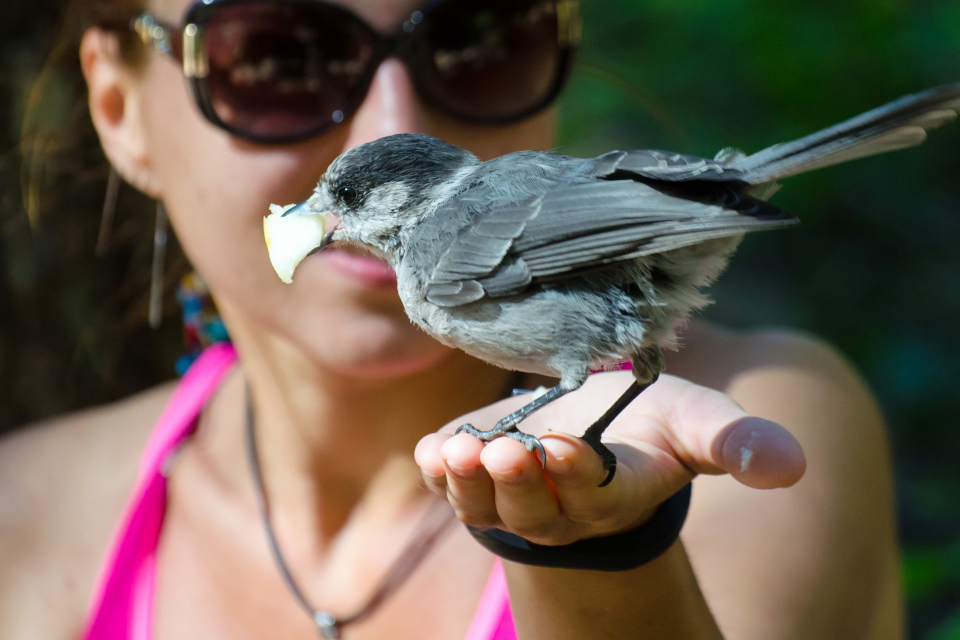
<point x="563" y="231"/>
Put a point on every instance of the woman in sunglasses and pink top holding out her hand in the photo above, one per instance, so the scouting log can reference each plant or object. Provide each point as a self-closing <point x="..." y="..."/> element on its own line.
<point x="342" y="390"/>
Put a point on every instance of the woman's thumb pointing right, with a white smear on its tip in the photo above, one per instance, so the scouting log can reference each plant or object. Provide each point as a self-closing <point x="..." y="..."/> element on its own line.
<point x="710" y="433"/>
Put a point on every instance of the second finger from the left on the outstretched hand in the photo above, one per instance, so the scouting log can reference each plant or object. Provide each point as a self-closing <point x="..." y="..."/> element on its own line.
<point x="469" y="488"/>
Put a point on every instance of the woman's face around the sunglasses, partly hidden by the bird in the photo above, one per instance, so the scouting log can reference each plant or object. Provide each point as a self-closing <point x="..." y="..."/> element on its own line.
<point x="342" y="310"/>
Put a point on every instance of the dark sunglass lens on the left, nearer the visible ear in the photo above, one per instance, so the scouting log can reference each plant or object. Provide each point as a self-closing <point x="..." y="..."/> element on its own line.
<point x="284" y="69"/>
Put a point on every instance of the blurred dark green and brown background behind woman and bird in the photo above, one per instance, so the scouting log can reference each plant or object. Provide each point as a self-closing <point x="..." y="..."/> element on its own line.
<point x="874" y="268"/>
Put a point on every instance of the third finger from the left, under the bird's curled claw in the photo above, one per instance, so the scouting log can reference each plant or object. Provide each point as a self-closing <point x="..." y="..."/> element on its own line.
<point x="525" y="499"/>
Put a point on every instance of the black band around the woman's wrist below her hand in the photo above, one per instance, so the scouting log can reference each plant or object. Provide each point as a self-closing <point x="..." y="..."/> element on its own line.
<point x="617" y="552"/>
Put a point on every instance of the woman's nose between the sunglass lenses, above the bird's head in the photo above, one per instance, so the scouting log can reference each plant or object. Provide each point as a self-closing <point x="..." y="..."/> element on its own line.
<point x="390" y="107"/>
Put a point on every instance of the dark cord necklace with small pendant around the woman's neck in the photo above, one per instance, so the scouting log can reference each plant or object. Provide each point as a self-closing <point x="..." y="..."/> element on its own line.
<point x="434" y="523"/>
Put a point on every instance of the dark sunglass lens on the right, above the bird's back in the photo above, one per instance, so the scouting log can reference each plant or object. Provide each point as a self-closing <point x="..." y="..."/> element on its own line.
<point x="490" y="60"/>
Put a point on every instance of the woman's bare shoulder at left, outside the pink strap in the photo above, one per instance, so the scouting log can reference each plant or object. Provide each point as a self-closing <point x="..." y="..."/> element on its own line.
<point x="63" y="485"/>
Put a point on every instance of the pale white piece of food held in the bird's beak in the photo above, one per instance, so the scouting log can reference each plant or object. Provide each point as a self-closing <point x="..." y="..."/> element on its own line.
<point x="291" y="238"/>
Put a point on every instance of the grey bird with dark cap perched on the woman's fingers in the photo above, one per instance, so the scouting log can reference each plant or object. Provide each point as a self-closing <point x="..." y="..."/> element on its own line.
<point x="545" y="263"/>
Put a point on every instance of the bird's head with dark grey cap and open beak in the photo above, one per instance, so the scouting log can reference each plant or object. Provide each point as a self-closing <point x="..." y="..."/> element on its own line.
<point x="374" y="192"/>
